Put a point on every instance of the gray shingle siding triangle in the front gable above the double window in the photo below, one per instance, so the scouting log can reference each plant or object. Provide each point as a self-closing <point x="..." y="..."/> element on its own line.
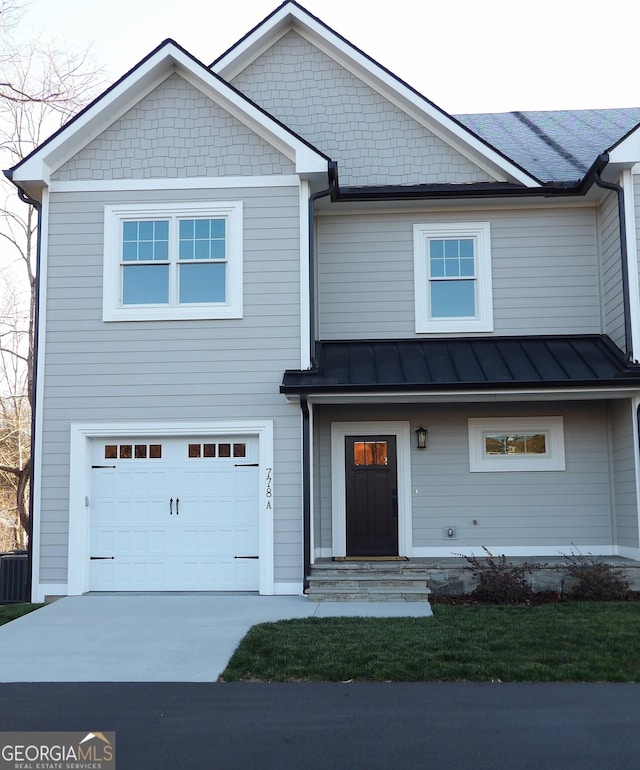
<point x="174" y="132"/>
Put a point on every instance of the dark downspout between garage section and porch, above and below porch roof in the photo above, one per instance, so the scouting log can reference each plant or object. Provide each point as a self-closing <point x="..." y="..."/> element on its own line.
<point x="304" y="406"/>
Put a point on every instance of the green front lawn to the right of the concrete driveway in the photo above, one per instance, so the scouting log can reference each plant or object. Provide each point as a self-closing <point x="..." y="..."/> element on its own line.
<point x="581" y="641"/>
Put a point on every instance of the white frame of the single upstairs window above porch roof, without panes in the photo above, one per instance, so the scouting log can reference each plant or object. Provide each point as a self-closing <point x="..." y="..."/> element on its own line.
<point x="480" y="233"/>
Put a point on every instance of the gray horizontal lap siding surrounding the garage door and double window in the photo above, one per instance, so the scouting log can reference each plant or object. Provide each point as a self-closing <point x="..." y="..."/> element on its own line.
<point x="174" y="370"/>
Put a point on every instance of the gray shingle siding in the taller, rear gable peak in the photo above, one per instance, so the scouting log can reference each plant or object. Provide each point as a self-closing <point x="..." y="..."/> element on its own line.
<point x="373" y="141"/>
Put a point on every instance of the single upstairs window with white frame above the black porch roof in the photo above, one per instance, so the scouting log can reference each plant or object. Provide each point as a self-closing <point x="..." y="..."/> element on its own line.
<point x="452" y="273"/>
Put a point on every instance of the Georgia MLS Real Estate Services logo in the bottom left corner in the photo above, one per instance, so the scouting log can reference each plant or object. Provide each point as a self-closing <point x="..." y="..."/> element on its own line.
<point x="58" y="751"/>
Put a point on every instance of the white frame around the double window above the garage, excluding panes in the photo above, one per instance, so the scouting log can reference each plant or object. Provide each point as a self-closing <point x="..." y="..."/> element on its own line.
<point x="114" y="310"/>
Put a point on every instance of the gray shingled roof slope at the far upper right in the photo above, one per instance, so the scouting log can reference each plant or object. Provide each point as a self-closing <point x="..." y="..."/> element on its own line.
<point x="558" y="145"/>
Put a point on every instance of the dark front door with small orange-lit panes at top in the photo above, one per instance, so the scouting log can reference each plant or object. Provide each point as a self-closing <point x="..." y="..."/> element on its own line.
<point x="371" y="495"/>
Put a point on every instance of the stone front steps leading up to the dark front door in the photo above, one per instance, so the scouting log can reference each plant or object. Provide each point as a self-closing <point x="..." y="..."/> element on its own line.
<point x="364" y="581"/>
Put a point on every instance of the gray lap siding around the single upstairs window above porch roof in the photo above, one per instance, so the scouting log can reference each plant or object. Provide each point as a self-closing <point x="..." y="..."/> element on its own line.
<point x="544" y="267"/>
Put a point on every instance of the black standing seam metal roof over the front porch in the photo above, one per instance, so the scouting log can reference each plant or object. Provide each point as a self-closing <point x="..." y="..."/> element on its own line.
<point x="485" y="363"/>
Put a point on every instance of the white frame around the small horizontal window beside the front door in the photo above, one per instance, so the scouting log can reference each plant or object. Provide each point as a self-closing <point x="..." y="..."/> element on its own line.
<point x="551" y="427"/>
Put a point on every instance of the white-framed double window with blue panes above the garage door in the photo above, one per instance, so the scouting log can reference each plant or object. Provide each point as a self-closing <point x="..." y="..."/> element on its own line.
<point x="173" y="262"/>
